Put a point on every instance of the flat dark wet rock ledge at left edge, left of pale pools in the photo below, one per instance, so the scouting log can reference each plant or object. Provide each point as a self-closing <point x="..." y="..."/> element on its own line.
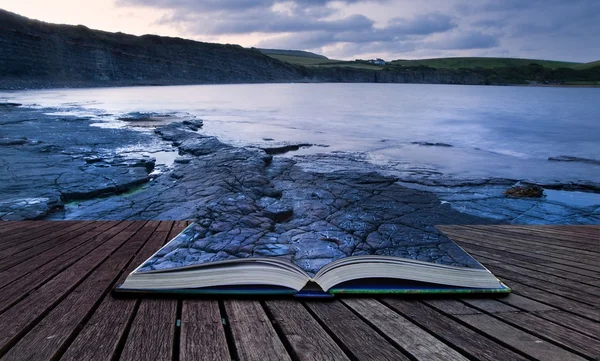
<point x="69" y="160"/>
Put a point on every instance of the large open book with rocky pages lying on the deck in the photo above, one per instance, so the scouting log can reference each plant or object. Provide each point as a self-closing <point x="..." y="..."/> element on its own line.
<point x="190" y="264"/>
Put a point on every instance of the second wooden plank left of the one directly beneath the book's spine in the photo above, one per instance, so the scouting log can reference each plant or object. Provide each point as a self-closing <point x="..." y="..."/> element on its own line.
<point x="254" y="336"/>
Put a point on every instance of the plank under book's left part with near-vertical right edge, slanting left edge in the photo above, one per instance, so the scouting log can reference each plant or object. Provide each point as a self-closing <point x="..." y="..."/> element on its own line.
<point x="152" y="331"/>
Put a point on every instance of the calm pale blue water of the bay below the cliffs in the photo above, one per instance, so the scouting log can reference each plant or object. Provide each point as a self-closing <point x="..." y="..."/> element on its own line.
<point x="506" y="132"/>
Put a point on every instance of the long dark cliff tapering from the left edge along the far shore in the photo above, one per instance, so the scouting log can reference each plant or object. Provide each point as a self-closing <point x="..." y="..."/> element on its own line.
<point x="34" y="54"/>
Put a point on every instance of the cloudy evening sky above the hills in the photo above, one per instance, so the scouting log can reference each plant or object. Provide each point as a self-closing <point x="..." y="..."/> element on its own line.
<point x="566" y="30"/>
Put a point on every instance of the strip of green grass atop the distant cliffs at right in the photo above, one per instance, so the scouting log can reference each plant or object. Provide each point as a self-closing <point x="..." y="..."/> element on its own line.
<point x="489" y="63"/>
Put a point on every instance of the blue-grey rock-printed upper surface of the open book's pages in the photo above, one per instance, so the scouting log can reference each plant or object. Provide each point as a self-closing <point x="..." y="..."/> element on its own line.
<point x="308" y="250"/>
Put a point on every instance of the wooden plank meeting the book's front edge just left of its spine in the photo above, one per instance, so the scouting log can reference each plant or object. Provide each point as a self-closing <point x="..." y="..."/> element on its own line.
<point x="308" y="340"/>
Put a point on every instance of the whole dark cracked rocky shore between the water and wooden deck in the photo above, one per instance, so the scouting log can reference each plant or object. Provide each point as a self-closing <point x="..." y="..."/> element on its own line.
<point x="61" y="167"/>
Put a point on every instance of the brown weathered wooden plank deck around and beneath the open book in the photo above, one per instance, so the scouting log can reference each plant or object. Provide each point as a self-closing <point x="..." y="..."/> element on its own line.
<point x="55" y="304"/>
